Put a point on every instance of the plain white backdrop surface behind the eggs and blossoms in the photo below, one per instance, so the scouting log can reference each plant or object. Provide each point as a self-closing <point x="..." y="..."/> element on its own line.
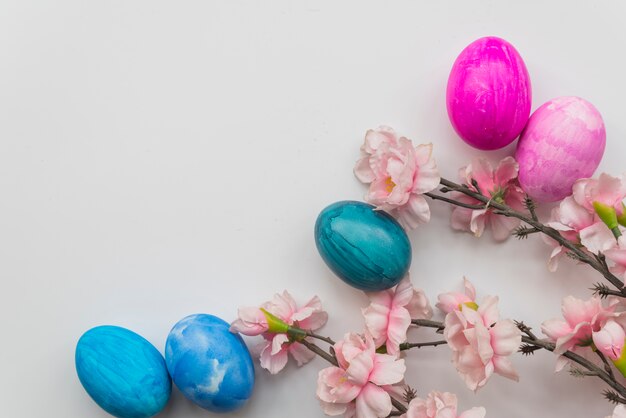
<point x="159" y="159"/>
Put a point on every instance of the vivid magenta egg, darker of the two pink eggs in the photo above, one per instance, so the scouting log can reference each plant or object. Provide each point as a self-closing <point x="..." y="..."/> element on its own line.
<point x="489" y="94"/>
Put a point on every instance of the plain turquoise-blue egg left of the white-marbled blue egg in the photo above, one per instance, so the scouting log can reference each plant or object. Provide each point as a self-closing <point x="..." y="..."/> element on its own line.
<point x="122" y="372"/>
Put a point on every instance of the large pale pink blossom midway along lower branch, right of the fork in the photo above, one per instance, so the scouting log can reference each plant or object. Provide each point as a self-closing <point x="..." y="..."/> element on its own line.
<point x="481" y="342"/>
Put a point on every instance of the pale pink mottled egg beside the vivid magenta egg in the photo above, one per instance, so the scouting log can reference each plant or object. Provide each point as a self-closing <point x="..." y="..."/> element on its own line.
<point x="563" y="142"/>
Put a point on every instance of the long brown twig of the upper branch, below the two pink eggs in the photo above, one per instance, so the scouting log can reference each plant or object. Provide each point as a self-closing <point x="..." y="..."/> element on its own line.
<point x="505" y="210"/>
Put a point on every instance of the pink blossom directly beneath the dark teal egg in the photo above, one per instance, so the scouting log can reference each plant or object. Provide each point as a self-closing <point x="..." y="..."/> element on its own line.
<point x="389" y="314"/>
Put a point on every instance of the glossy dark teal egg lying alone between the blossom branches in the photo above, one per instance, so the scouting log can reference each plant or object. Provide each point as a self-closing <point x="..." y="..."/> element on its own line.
<point x="365" y="247"/>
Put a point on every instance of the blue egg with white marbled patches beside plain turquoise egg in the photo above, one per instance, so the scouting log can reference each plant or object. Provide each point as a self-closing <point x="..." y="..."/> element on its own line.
<point x="210" y="365"/>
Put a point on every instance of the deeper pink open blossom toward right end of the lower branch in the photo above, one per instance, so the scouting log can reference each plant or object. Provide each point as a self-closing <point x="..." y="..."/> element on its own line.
<point x="582" y="320"/>
